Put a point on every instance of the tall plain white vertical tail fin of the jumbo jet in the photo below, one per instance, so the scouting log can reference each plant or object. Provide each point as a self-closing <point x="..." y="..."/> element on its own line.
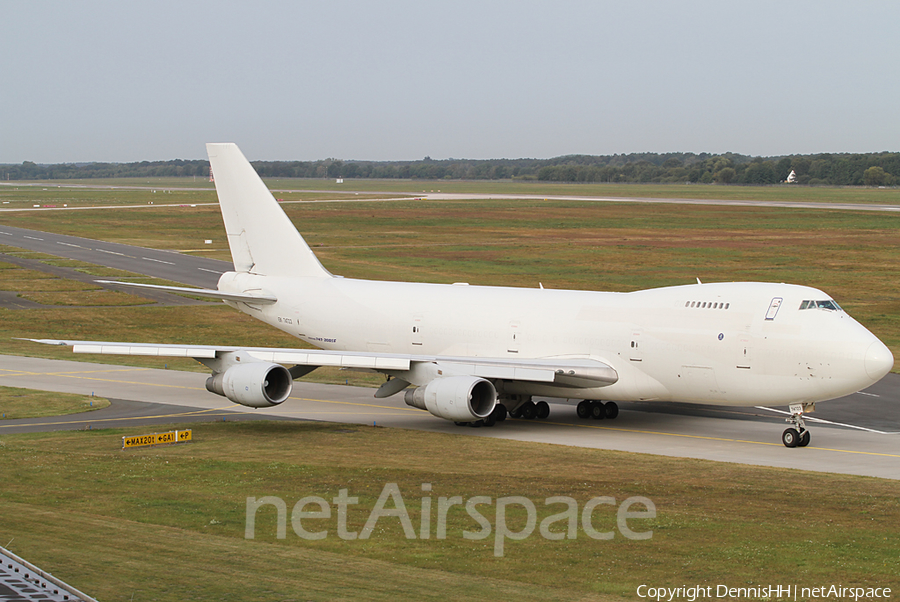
<point x="261" y="237"/>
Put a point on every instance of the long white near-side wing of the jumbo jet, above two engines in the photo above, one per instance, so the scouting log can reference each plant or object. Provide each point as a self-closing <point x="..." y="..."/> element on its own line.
<point x="569" y="372"/>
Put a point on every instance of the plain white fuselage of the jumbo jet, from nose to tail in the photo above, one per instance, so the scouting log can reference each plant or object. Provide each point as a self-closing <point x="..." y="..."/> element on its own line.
<point x="728" y="343"/>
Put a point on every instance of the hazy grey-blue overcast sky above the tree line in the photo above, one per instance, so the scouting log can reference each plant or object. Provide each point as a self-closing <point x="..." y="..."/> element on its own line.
<point x="396" y="80"/>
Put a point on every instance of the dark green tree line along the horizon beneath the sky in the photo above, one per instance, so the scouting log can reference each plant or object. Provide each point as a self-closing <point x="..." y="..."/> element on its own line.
<point x="865" y="169"/>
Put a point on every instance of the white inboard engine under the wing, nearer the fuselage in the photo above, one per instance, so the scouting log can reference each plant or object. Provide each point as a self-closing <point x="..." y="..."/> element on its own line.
<point x="457" y="398"/>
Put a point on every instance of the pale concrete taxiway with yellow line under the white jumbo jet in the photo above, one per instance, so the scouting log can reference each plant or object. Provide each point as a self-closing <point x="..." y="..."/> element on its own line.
<point x="742" y="437"/>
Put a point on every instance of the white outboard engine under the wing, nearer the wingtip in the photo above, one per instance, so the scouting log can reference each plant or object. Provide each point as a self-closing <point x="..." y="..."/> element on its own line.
<point x="255" y="384"/>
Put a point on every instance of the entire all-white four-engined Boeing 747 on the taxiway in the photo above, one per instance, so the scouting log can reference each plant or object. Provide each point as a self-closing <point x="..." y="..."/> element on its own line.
<point x="474" y="353"/>
